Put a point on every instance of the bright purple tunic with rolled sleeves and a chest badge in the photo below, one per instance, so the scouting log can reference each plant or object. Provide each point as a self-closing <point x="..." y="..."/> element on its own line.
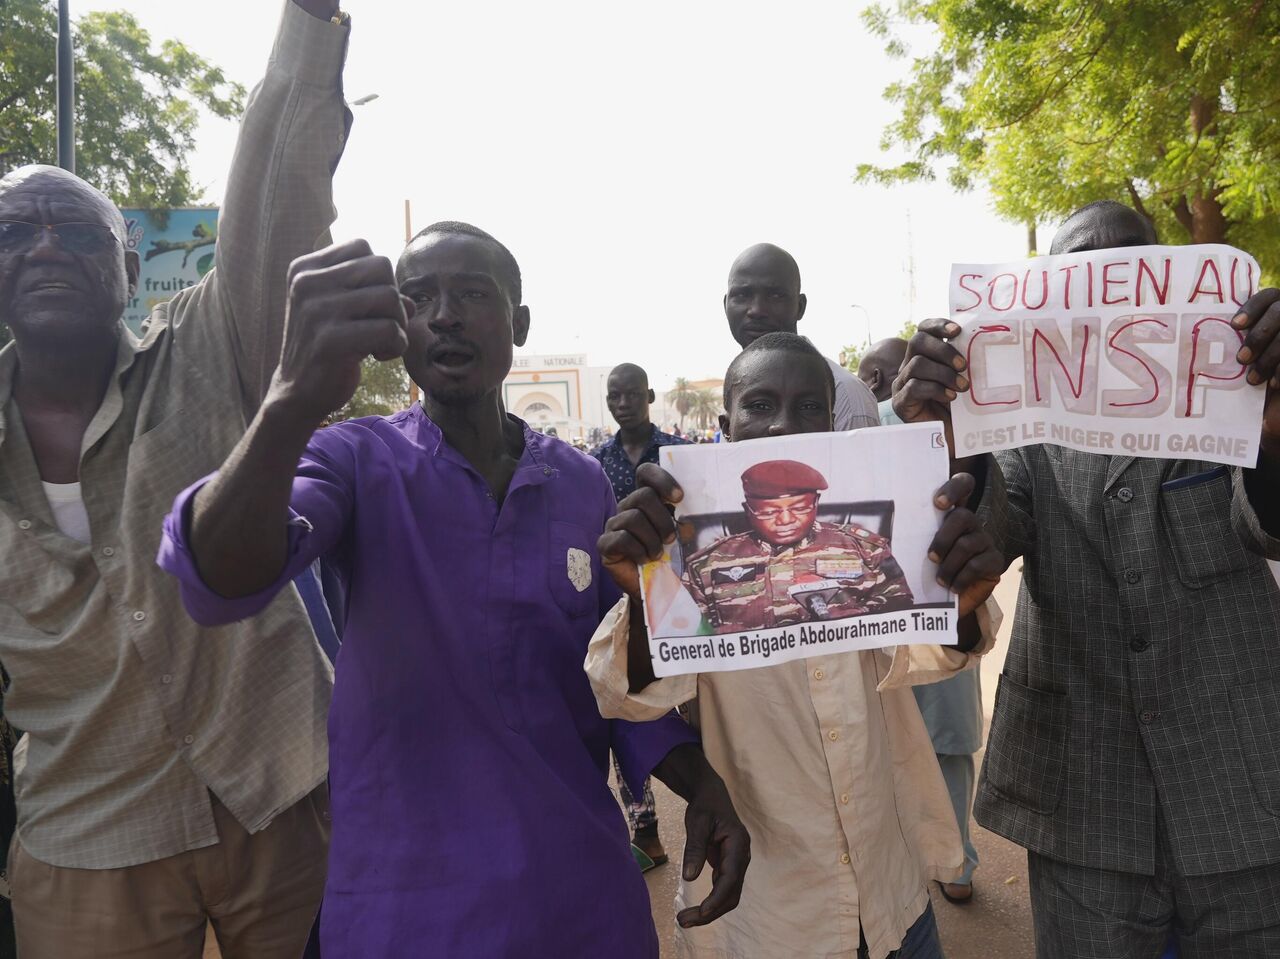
<point x="469" y="788"/>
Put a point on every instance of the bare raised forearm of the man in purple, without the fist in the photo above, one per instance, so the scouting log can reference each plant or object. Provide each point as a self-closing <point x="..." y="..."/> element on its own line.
<point x="240" y="520"/>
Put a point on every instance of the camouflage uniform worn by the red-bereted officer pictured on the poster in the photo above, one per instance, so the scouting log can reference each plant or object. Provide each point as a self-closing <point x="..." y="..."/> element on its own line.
<point x="835" y="572"/>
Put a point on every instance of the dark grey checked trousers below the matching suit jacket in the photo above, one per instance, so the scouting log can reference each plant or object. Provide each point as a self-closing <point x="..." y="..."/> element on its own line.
<point x="1087" y="914"/>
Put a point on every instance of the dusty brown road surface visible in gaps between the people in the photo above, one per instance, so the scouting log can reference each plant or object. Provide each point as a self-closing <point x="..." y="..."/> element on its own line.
<point x="996" y="925"/>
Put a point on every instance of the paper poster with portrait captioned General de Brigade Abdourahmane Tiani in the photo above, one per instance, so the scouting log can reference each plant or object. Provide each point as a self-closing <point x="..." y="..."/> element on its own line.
<point x="799" y="546"/>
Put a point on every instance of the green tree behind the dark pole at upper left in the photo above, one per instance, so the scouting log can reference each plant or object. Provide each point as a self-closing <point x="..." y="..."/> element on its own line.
<point x="136" y="107"/>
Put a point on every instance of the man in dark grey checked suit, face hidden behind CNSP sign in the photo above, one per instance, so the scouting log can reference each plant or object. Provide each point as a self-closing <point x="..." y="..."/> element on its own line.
<point x="1133" y="746"/>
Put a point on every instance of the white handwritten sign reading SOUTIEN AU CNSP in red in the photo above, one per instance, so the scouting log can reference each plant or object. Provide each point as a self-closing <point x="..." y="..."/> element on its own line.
<point x="1127" y="351"/>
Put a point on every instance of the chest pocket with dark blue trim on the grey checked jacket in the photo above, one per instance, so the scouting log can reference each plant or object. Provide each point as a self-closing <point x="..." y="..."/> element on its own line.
<point x="1197" y="519"/>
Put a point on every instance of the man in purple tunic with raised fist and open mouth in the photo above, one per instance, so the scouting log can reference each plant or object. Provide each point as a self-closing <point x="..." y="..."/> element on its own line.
<point x="472" y="815"/>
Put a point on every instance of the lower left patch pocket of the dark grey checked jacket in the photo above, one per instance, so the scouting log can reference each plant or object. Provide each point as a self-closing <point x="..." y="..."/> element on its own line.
<point x="1027" y="751"/>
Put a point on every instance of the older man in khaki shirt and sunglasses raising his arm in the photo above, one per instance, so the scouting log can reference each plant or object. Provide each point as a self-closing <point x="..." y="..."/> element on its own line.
<point x="173" y="775"/>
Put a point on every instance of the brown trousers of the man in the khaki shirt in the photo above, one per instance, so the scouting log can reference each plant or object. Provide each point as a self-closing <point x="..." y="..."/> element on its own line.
<point x="259" y="892"/>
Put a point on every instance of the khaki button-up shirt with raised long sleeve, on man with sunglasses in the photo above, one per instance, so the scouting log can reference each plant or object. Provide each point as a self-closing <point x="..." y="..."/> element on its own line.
<point x="135" y="714"/>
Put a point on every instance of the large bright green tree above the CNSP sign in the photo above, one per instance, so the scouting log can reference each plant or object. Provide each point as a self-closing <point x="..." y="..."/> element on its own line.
<point x="1169" y="106"/>
